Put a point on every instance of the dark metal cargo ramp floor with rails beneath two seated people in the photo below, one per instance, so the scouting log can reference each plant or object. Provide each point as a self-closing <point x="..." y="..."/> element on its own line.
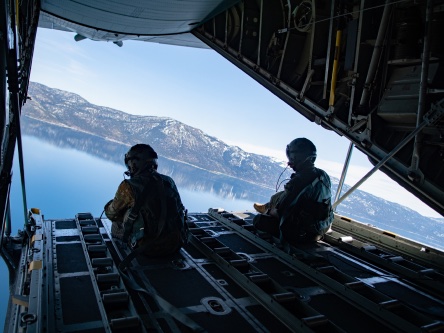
<point x="228" y="278"/>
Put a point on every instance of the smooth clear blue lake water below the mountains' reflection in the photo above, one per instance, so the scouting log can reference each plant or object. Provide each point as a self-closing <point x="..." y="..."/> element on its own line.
<point x="63" y="182"/>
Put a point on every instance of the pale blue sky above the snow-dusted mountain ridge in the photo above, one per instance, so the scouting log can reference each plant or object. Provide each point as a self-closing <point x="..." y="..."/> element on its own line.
<point x="202" y="89"/>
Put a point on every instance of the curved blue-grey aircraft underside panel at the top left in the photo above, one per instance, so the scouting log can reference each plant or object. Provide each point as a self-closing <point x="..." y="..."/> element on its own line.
<point x="157" y="21"/>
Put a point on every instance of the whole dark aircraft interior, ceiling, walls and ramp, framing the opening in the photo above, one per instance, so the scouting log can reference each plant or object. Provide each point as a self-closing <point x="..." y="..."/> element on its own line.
<point x="370" y="71"/>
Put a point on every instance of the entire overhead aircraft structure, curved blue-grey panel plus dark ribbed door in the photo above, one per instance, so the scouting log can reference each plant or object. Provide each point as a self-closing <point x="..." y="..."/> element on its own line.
<point x="375" y="96"/>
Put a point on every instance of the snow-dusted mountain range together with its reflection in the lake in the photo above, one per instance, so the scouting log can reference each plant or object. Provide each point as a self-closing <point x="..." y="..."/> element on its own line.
<point x="194" y="159"/>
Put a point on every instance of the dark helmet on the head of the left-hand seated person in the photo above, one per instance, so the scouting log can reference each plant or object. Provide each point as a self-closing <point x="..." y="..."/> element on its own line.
<point x="139" y="158"/>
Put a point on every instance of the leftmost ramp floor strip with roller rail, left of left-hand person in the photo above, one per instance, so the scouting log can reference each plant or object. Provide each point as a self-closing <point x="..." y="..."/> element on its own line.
<point x="72" y="283"/>
